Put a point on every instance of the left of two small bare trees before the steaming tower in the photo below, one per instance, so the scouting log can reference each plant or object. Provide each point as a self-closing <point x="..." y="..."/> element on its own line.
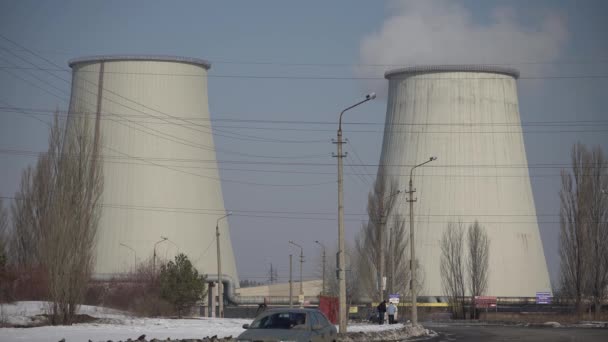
<point x="452" y="267"/>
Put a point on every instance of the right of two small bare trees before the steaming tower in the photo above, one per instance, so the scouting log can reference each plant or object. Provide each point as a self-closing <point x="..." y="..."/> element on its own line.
<point x="477" y="262"/>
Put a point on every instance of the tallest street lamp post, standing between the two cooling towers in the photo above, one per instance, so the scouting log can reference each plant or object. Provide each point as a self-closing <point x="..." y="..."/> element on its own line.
<point x="341" y="261"/>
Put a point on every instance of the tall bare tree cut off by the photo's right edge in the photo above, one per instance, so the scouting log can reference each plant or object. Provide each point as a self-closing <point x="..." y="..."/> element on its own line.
<point x="596" y="221"/>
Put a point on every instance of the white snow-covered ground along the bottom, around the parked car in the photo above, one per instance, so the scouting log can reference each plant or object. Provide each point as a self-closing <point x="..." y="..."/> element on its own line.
<point x="120" y="326"/>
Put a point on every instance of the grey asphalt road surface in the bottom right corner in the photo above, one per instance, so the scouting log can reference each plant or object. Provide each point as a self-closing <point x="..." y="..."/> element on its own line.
<point x="458" y="333"/>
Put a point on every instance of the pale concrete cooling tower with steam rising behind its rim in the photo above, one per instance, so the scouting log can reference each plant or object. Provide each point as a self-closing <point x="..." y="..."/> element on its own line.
<point x="468" y="117"/>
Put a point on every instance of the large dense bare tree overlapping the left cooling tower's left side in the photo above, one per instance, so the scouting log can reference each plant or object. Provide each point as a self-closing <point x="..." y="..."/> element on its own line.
<point x="56" y="214"/>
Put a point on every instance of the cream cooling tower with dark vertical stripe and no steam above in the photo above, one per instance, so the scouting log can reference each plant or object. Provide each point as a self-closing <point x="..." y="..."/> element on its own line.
<point x="162" y="193"/>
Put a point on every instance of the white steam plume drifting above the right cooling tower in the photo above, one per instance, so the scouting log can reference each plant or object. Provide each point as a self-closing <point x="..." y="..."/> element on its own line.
<point x="445" y="32"/>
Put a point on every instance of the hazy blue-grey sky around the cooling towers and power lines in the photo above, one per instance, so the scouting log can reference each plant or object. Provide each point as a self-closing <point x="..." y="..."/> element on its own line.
<point x="316" y="38"/>
